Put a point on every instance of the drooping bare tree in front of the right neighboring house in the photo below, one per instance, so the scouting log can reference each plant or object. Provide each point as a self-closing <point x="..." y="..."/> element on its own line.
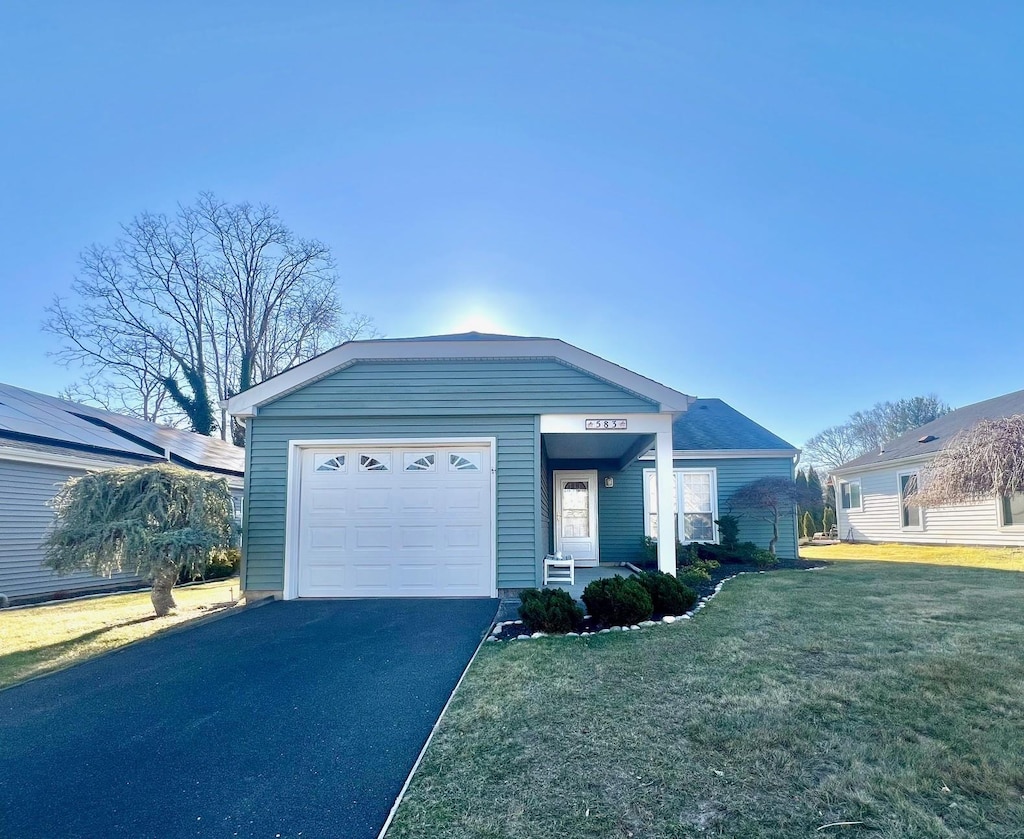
<point x="984" y="462"/>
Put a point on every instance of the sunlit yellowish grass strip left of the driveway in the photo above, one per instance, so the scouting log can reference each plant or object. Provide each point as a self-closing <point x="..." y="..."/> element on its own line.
<point x="39" y="640"/>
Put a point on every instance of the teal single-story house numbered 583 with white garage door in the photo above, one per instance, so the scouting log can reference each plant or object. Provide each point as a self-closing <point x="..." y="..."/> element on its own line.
<point x="452" y="466"/>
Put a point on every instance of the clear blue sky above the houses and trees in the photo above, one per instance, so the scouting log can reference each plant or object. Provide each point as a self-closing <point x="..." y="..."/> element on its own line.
<point x="800" y="208"/>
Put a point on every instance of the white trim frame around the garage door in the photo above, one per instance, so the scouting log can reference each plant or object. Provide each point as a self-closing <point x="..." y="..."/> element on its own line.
<point x="294" y="486"/>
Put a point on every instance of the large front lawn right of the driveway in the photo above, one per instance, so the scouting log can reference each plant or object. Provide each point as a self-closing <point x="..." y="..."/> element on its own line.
<point x="892" y="697"/>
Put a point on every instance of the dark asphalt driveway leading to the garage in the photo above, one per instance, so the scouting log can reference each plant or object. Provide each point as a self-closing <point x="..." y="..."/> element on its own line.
<point x="294" y="720"/>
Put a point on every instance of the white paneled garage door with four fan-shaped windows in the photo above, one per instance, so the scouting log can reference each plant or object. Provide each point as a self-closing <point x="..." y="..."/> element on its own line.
<point x="409" y="521"/>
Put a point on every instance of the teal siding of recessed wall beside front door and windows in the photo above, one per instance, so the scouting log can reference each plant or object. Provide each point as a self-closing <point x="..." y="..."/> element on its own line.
<point x="621" y="508"/>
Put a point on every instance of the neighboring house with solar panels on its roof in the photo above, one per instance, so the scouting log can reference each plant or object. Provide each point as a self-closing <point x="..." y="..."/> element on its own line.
<point x="46" y="441"/>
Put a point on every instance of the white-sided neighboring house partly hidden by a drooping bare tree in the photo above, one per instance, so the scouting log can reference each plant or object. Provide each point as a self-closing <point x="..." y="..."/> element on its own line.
<point x="871" y="490"/>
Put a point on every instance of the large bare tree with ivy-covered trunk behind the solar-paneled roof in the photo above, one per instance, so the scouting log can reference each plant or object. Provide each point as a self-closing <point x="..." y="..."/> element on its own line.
<point x="192" y="309"/>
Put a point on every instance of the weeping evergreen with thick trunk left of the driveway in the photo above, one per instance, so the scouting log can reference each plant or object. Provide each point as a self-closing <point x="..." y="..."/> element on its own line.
<point x="154" y="522"/>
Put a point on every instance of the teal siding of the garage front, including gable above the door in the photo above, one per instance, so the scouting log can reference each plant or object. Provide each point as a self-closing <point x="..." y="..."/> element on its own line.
<point x="417" y="400"/>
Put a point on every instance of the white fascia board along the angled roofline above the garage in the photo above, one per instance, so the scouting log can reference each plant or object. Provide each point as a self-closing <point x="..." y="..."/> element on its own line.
<point x="245" y="404"/>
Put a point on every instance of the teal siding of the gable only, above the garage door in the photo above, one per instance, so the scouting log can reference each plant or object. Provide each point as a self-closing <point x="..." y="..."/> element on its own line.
<point x="457" y="388"/>
